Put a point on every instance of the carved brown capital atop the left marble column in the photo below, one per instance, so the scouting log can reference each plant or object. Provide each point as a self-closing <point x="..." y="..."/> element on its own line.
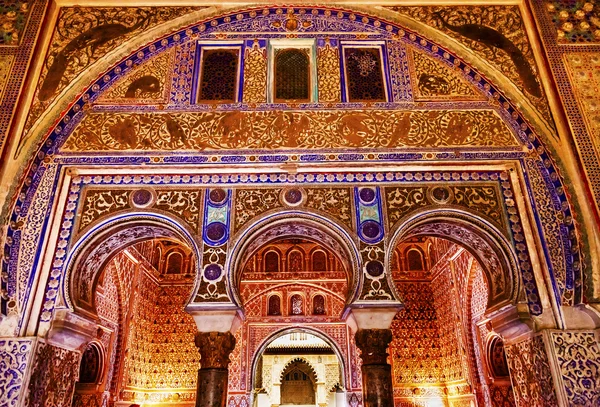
<point x="215" y="348"/>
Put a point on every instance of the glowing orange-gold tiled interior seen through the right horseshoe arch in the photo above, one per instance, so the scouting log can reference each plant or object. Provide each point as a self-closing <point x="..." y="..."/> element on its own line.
<point x="440" y="346"/>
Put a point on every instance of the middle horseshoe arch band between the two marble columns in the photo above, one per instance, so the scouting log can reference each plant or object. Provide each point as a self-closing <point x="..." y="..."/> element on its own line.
<point x="294" y="224"/>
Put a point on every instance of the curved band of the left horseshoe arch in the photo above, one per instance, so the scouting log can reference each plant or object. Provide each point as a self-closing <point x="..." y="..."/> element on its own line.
<point x="94" y="249"/>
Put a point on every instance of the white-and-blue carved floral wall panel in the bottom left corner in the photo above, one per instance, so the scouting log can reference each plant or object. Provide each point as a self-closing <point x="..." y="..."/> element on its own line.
<point x="15" y="355"/>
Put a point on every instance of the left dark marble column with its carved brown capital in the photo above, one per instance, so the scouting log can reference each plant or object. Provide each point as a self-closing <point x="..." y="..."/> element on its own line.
<point x="214" y="348"/>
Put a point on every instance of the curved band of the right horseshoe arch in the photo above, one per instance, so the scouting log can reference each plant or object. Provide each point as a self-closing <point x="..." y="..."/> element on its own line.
<point x="486" y="243"/>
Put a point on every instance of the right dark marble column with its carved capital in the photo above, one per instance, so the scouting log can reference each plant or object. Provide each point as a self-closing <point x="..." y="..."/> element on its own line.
<point x="376" y="371"/>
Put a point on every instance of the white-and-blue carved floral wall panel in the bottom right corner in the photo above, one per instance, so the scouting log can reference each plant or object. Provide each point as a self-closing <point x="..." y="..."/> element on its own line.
<point x="578" y="355"/>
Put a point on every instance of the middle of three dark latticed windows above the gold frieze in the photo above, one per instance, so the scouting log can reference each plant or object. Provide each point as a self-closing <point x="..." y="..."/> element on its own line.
<point x="292" y="75"/>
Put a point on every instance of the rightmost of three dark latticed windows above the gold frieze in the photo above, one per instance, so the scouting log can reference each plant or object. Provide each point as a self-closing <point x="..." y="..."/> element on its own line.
<point x="364" y="75"/>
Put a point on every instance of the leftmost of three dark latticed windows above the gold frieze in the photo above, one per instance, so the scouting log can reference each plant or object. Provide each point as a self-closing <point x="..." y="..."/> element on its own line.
<point x="218" y="75"/>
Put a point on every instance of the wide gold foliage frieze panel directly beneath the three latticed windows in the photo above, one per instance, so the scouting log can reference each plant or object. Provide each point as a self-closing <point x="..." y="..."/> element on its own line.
<point x="281" y="129"/>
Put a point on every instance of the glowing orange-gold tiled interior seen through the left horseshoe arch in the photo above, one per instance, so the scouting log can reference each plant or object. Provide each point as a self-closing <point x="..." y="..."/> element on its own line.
<point x="144" y="351"/>
